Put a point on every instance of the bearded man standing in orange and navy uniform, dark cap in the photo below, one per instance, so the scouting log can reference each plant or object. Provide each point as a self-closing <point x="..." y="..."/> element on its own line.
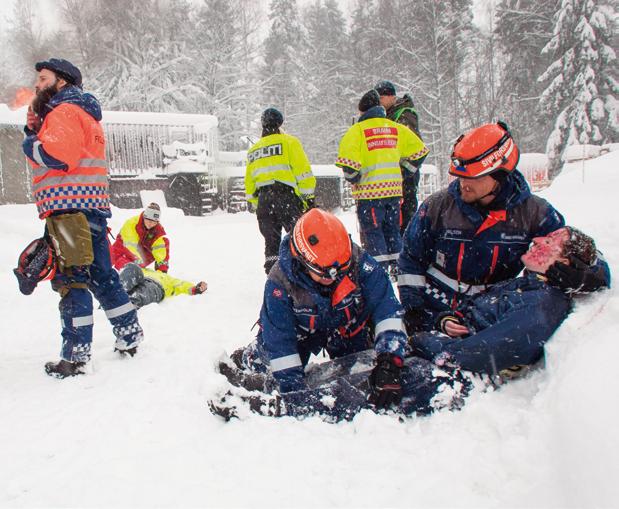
<point x="65" y="146"/>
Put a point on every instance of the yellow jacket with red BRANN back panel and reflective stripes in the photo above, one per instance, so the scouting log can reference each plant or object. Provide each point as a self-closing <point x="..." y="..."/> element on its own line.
<point x="373" y="147"/>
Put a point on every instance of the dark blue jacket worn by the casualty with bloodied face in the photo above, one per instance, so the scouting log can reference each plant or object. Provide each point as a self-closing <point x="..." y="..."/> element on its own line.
<point x="510" y="324"/>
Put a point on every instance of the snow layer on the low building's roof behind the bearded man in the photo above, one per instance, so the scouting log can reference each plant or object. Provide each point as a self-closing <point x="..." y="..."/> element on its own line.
<point x="200" y="122"/>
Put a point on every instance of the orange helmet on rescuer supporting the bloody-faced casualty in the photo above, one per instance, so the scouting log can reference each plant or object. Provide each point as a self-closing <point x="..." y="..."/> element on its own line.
<point x="484" y="150"/>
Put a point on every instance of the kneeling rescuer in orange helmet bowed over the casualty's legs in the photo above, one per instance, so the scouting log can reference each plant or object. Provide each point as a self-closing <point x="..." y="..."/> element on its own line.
<point x="325" y="292"/>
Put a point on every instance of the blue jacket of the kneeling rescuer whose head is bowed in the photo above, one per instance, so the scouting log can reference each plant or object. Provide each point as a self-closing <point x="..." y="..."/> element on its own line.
<point x="299" y="316"/>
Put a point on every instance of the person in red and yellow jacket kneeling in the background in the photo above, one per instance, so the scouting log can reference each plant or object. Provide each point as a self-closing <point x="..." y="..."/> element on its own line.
<point x="142" y="241"/>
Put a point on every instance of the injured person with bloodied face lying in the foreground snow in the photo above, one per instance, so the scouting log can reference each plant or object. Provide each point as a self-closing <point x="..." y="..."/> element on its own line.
<point x="504" y="328"/>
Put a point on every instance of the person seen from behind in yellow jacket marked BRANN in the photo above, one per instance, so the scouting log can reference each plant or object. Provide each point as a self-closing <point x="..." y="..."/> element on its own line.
<point x="370" y="154"/>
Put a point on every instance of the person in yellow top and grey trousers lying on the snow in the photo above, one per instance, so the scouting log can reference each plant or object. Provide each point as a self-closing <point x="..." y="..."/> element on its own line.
<point x="146" y="286"/>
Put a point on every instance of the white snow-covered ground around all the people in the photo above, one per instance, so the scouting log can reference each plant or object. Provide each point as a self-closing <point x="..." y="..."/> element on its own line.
<point x="137" y="432"/>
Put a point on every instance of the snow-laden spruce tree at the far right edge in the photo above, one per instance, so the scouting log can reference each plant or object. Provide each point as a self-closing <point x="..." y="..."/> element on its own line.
<point x="582" y="90"/>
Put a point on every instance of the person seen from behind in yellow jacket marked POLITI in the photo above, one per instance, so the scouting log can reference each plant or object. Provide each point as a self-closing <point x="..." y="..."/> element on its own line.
<point x="279" y="183"/>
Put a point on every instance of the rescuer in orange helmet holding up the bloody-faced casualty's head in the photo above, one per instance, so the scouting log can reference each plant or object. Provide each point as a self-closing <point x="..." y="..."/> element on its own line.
<point x="472" y="235"/>
